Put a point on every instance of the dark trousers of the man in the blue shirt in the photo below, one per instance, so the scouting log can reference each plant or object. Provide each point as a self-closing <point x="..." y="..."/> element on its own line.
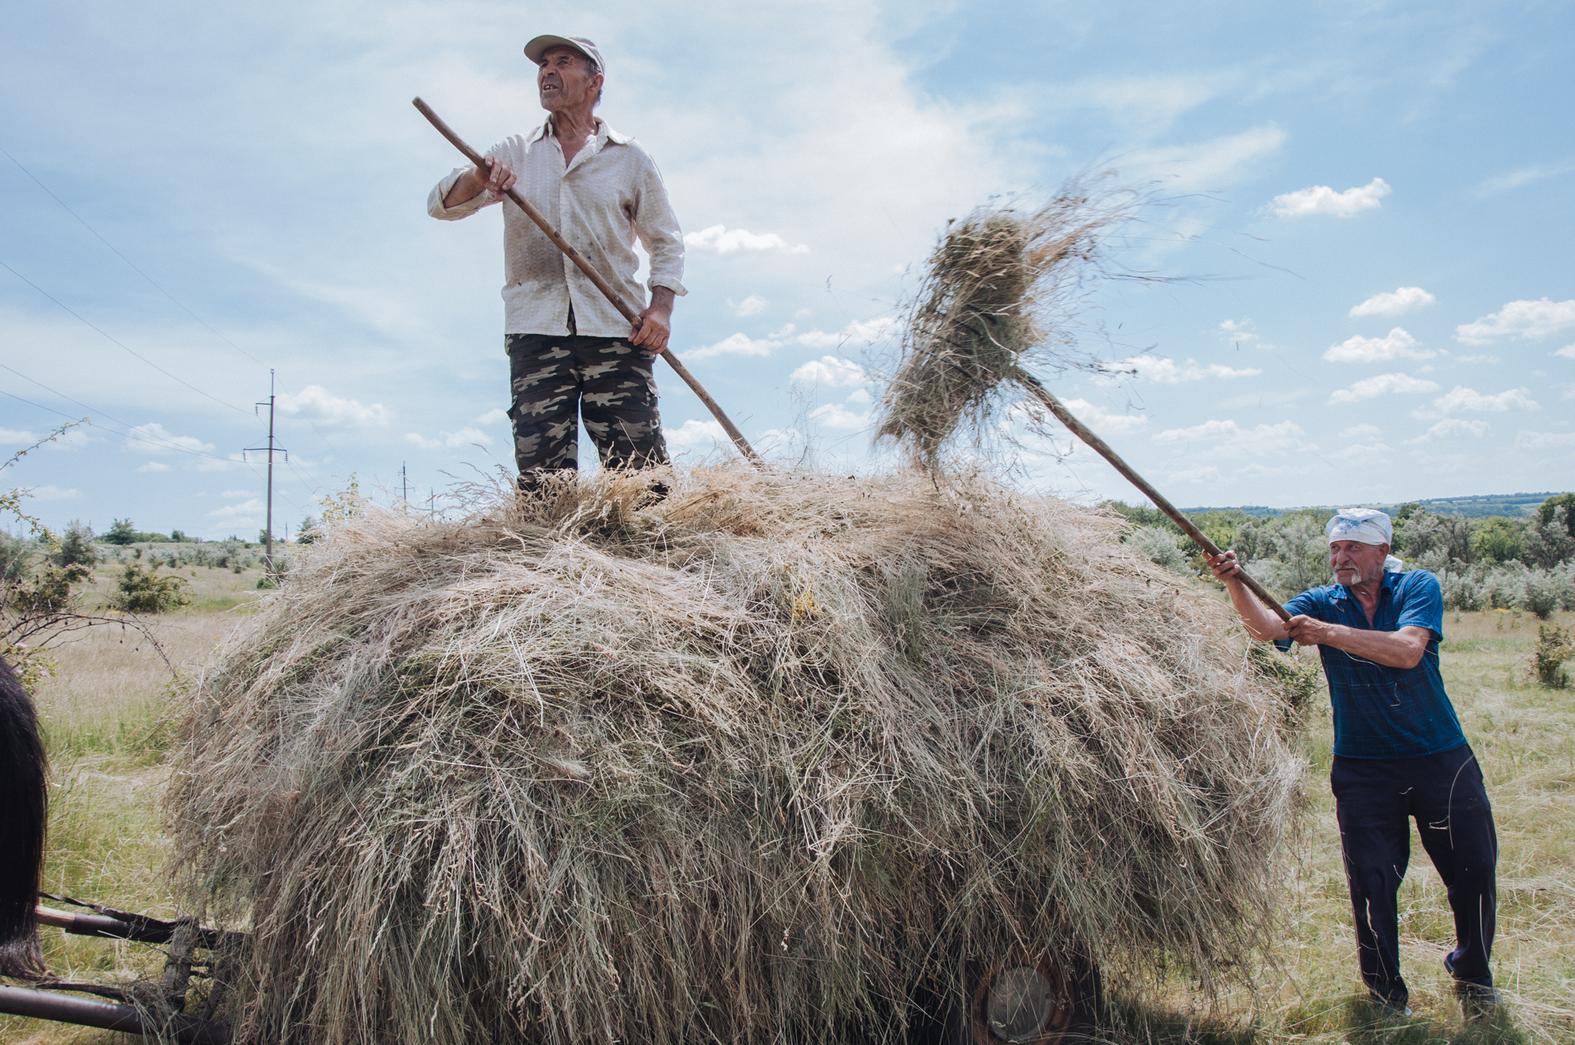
<point x="1374" y="801"/>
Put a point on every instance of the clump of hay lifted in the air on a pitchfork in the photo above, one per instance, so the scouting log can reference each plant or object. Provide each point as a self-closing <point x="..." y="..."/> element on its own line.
<point x="998" y="294"/>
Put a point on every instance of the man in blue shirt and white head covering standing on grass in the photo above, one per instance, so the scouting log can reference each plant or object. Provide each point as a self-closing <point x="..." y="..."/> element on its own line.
<point x="1399" y="751"/>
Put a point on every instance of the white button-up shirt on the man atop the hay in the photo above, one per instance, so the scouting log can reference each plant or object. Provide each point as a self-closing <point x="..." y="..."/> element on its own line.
<point x="604" y="203"/>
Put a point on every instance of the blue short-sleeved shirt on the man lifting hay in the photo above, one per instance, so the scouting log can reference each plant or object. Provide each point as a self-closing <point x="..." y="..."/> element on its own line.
<point x="1387" y="713"/>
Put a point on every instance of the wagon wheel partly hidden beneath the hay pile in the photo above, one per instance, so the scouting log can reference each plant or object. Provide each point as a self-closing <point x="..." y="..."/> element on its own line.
<point x="1043" y="1002"/>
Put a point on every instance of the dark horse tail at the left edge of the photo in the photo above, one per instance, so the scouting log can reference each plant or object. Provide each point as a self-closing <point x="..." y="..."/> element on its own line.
<point x="24" y="814"/>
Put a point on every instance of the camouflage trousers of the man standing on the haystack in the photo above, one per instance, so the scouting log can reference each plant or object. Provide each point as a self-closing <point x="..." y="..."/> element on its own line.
<point x="555" y="381"/>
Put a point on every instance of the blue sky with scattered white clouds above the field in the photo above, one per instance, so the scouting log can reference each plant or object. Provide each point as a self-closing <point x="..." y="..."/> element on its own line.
<point x="1371" y="206"/>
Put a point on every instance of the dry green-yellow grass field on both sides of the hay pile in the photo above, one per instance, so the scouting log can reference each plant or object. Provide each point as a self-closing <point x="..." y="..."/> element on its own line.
<point x="103" y="713"/>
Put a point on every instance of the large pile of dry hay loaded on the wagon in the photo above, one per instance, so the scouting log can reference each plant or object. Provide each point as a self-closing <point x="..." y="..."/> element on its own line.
<point x="739" y="767"/>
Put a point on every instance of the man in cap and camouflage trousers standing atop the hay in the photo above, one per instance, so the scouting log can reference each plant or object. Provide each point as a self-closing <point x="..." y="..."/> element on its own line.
<point x="571" y="352"/>
